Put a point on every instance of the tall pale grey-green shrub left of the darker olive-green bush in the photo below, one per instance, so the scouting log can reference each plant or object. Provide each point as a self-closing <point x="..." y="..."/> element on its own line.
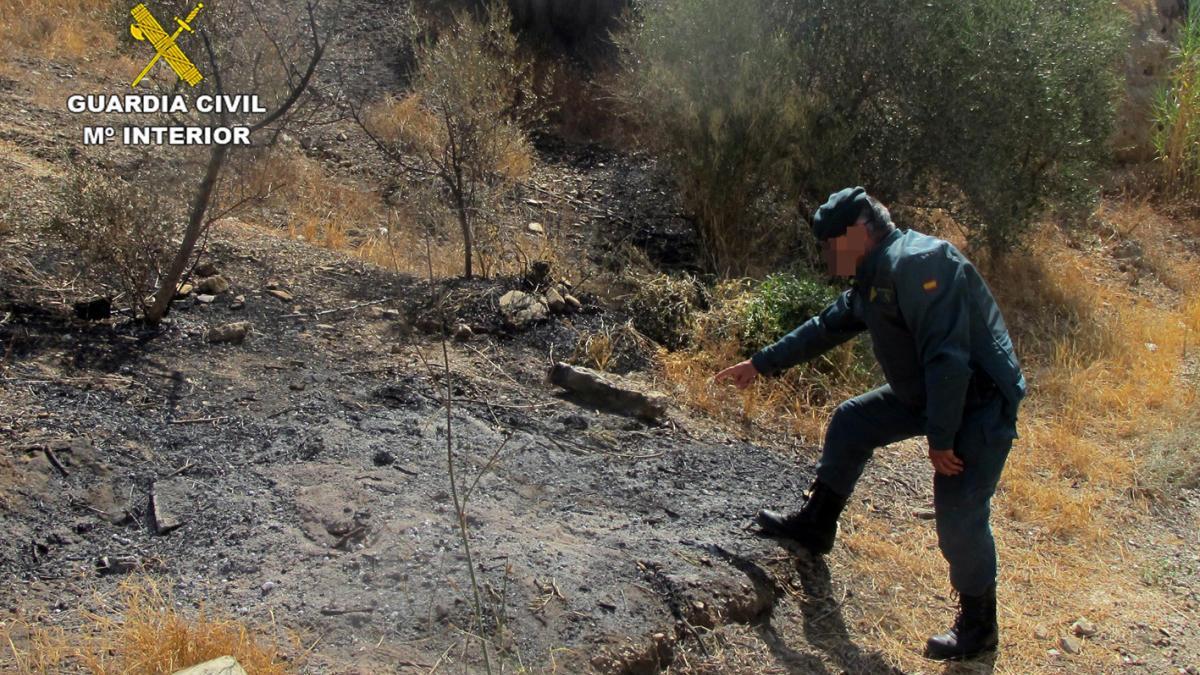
<point x="721" y="106"/>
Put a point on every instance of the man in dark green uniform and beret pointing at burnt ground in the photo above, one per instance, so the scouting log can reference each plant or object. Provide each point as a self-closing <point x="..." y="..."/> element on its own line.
<point x="952" y="377"/>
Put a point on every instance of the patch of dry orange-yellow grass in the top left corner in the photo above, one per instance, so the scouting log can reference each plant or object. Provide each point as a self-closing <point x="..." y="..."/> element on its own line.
<point x="57" y="28"/>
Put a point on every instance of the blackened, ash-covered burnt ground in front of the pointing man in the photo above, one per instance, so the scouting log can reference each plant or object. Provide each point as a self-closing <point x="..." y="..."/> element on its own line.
<point x="309" y="469"/>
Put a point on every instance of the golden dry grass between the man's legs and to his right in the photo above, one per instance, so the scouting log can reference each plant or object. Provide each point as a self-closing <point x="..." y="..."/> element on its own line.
<point x="1103" y="362"/>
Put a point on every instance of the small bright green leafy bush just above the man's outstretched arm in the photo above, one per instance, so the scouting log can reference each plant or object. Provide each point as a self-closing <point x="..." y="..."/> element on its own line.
<point x="778" y="306"/>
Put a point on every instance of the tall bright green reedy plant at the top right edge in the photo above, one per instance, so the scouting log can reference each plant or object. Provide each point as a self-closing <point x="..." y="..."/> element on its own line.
<point x="1178" y="111"/>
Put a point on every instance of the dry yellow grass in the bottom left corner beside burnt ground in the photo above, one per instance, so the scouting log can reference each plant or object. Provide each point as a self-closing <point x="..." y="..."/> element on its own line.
<point x="141" y="631"/>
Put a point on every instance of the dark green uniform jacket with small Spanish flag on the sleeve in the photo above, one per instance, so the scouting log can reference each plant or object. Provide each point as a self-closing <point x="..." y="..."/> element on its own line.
<point x="935" y="330"/>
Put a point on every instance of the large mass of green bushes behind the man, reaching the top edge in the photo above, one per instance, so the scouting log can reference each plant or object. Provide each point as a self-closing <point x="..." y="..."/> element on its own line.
<point x="995" y="110"/>
